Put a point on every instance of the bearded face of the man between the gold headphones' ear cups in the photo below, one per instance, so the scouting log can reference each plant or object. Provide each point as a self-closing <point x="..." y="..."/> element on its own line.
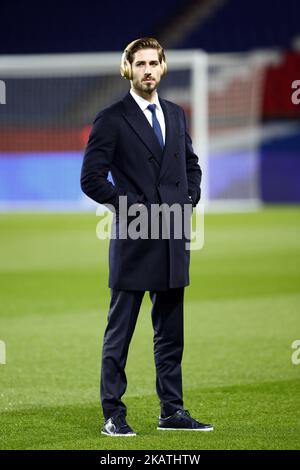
<point x="146" y="71"/>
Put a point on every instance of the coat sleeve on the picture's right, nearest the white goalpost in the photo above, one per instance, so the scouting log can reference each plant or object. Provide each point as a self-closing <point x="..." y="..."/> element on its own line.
<point x="193" y="170"/>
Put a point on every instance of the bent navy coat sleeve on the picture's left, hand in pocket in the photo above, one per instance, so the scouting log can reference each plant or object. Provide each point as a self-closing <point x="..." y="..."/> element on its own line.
<point x="98" y="157"/>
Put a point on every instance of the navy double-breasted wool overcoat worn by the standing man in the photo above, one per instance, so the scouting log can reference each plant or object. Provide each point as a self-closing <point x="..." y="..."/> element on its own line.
<point x="122" y="141"/>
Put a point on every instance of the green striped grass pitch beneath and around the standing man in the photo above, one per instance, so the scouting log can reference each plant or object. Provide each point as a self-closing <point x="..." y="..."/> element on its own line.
<point x="242" y="313"/>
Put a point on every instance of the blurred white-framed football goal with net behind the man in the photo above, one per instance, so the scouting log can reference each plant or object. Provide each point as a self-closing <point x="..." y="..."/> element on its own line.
<point x="51" y="101"/>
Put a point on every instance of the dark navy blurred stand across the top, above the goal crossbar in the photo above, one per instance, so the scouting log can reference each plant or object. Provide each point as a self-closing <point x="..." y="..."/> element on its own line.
<point x="212" y="25"/>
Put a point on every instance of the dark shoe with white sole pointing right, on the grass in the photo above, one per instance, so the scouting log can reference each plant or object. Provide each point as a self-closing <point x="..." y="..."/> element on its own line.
<point x="182" y="421"/>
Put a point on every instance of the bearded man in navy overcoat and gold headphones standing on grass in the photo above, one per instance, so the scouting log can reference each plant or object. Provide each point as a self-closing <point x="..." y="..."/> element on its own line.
<point x="143" y="142"/>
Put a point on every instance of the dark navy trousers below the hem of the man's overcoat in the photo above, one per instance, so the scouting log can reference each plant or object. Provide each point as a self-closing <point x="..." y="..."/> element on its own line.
<point x="167" y="320"/>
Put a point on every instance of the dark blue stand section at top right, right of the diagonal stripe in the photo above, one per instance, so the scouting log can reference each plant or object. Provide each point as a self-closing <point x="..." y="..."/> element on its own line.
<point x="239" y="26"/>
